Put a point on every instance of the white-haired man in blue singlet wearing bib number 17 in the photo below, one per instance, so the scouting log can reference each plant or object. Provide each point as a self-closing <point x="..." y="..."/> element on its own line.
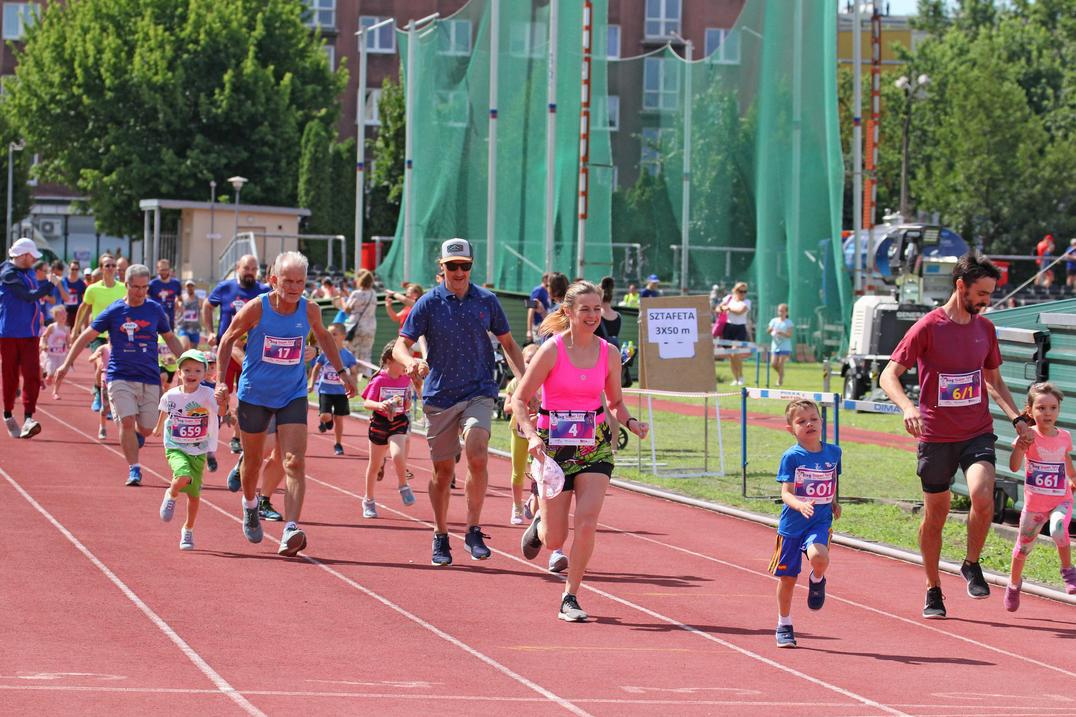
<point x="274" y="384"/>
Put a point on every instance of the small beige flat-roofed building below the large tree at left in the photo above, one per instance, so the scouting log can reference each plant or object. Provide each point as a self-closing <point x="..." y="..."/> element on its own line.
<point x="206" y="231"/>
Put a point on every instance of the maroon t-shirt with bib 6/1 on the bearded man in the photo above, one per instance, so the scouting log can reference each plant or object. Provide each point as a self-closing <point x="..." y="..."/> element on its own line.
<point x="953" y="395"/>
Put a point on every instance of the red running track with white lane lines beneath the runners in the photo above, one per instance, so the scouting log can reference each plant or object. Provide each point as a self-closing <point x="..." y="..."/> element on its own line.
<point x="104" y="615"/>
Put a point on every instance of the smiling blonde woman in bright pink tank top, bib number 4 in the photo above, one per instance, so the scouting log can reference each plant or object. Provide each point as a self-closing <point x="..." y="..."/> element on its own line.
<point x="573" y="371"/>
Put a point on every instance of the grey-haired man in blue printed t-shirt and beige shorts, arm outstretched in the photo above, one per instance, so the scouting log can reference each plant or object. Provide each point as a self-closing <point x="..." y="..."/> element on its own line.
<point x="133" y="325"/>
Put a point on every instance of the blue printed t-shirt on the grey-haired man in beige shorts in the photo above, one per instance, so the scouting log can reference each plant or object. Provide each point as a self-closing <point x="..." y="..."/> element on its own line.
<point x="133" y="333"/>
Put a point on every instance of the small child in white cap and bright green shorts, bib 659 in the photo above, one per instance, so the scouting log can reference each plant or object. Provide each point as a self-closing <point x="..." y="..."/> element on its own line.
<point x="189" y="421"/>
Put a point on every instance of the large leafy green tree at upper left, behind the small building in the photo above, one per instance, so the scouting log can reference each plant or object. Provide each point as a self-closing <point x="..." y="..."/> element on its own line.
<point x="129" y="100"/>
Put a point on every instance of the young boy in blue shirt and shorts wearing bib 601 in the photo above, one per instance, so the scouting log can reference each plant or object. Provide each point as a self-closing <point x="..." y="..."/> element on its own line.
<point x="809" y="477"/>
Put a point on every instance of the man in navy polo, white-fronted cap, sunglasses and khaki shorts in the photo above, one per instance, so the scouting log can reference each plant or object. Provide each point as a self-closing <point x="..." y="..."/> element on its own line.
<point x="457" y="319"/>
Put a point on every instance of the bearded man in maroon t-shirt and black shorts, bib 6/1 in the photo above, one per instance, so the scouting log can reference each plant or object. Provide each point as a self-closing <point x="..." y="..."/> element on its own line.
<point x="957" y="355"/>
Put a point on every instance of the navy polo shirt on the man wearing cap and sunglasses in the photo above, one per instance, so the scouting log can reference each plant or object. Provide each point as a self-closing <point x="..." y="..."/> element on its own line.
<point x="460" y="354"/>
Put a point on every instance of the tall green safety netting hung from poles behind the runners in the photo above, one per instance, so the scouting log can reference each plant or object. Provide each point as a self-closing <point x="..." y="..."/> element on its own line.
<point x="766" y="168"/>
